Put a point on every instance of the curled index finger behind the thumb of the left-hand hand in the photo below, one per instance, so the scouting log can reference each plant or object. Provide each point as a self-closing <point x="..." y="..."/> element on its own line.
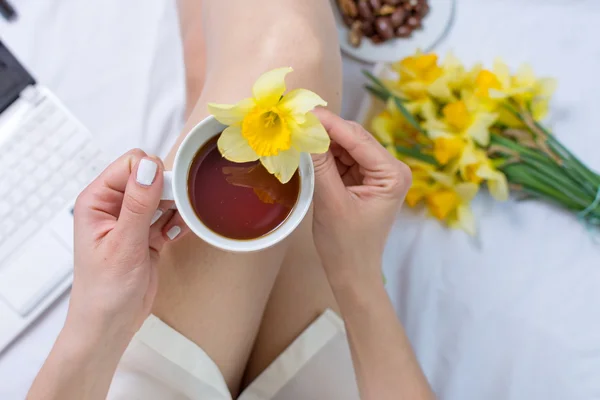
<point x="101" y="200"/>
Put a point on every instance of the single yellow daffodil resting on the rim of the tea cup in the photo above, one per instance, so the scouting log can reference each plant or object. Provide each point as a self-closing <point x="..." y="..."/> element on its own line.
<point x="272" y="126"/>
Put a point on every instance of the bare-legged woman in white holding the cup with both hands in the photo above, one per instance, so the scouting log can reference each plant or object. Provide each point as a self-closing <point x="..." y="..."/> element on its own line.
<point x="218" y="321"/>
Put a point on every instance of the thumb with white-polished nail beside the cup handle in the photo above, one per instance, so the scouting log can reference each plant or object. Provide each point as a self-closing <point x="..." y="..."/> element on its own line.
<point x="140" y="200"/>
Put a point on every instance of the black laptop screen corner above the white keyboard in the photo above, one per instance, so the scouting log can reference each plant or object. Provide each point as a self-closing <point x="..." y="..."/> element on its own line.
<point x="13" y="78"/>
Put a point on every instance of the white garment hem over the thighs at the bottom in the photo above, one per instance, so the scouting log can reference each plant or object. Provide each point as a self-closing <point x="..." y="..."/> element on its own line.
<point x="160" y="363"/>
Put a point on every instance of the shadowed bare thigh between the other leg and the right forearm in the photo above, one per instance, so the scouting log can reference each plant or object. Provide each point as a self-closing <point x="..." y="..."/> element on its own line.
<point x="301" y="294"/>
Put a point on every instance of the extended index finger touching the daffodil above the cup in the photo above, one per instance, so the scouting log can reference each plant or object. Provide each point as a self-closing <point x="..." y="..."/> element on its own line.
<point x="359" y="143"/>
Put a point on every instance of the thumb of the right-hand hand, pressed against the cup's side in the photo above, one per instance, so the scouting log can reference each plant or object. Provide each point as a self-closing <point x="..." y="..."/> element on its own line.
<point x="328" y="183"/>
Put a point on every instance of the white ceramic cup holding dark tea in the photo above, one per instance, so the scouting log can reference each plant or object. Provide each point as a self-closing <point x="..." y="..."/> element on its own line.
<point x="176" y="188"/>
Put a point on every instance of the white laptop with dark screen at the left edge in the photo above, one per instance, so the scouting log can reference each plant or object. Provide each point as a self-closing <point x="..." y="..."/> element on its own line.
<point x="46" y="158"/>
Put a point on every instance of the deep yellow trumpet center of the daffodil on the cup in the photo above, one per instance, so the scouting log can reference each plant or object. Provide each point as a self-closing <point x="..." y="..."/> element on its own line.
<point x="267" y="131"/>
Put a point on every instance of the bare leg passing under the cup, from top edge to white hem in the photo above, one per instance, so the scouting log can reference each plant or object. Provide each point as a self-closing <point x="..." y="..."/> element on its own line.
<point x="214" y="298"/>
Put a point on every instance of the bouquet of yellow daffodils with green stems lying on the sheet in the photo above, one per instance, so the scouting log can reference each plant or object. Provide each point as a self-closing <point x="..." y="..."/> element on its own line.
<point x="458" y="129"/>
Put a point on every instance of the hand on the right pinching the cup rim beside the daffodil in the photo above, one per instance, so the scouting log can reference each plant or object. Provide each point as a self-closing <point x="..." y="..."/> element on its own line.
<point x="359" y="188"/>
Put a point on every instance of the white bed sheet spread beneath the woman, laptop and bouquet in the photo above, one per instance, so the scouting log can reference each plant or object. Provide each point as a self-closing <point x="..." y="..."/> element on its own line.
<point x="511" y="314"/>
